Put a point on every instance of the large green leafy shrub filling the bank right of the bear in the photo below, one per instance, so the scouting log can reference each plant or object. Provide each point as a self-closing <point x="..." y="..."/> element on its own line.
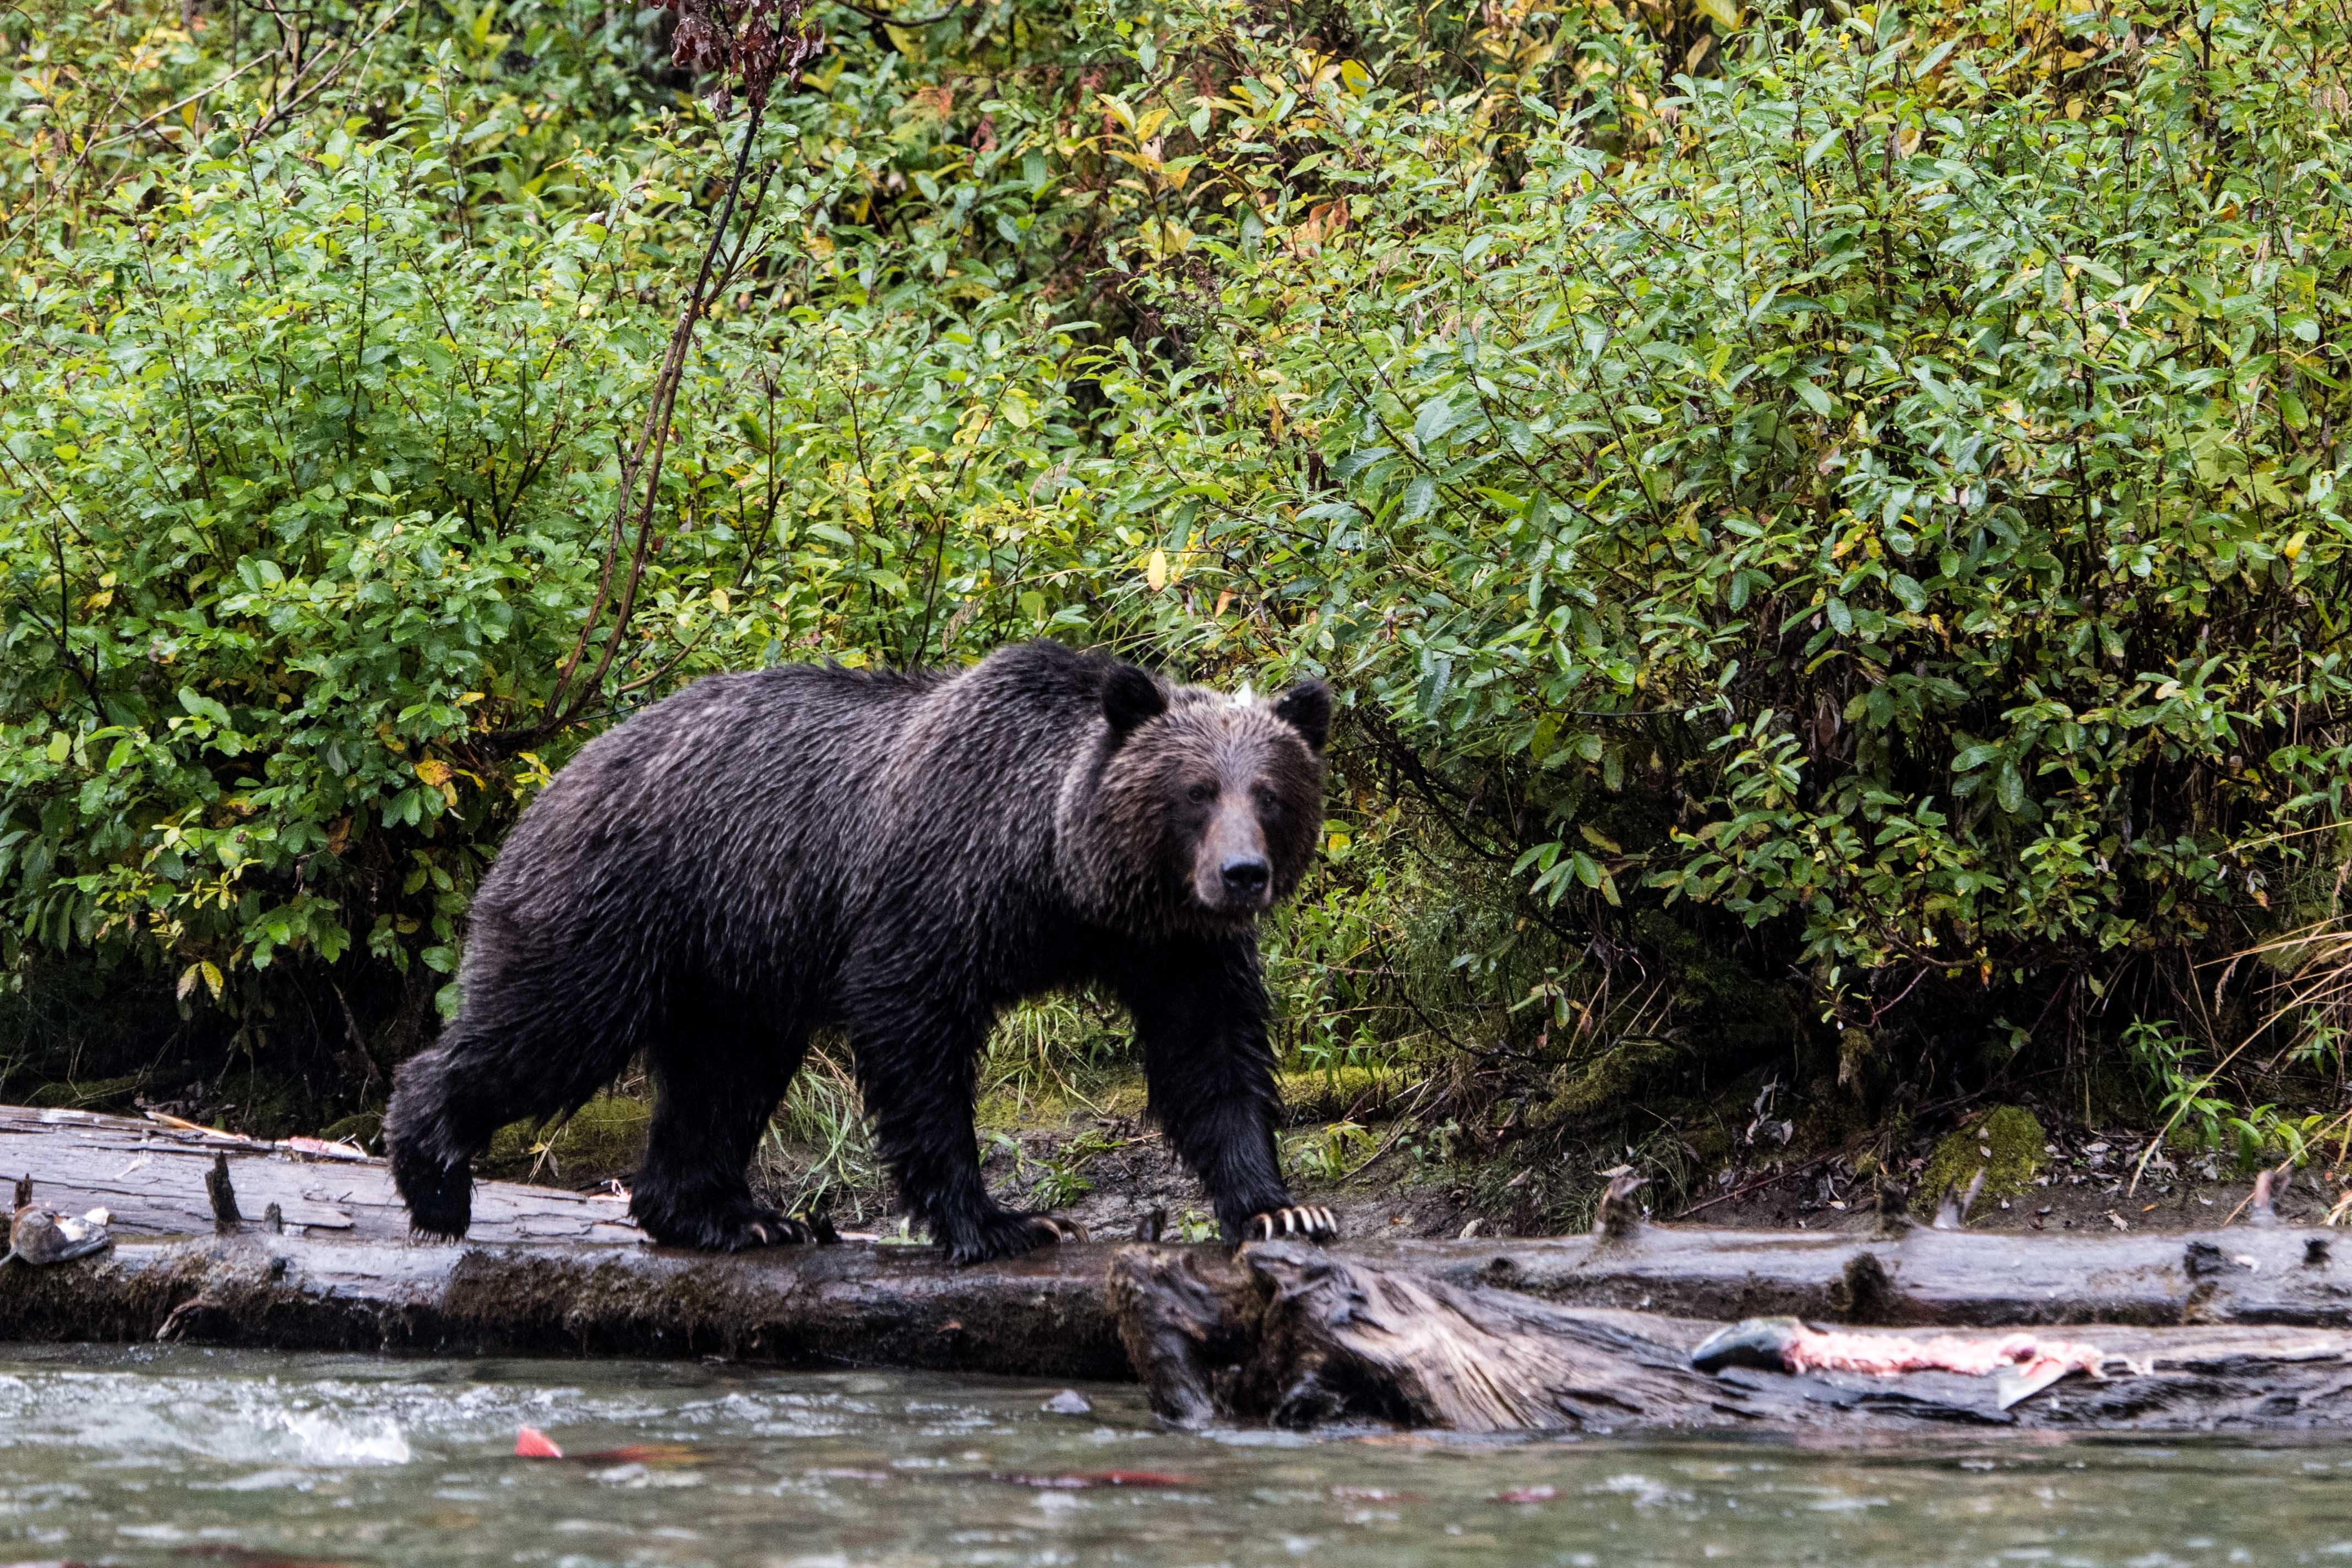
<point x="1873" y="490"/>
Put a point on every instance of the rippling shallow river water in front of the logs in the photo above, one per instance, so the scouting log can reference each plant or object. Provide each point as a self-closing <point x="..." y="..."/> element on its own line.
<point x="187" y="1456"/>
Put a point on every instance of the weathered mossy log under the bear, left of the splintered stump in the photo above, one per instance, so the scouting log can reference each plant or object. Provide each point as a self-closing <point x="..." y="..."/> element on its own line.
<point x="544" y="1273"/>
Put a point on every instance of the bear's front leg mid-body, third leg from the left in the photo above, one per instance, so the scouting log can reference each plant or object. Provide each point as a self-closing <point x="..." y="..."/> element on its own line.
<point x="916" y="1073"/>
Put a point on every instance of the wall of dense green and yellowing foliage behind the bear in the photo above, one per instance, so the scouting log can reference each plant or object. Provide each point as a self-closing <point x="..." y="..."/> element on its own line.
<point x="1826" y="523"/>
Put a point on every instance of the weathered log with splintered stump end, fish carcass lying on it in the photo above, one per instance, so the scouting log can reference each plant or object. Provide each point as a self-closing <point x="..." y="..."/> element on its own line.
<point x="1302" y="1339"/>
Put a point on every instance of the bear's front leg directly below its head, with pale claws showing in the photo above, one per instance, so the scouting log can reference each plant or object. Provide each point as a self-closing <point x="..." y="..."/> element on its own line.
<point x="1201" y="1014"/>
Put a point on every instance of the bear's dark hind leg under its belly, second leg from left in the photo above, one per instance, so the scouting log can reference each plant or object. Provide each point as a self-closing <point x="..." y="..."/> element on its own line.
<point x="709" y="1113"/>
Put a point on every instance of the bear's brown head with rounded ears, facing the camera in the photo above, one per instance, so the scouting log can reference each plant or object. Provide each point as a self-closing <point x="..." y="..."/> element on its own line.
<point x="1203" y="808"/>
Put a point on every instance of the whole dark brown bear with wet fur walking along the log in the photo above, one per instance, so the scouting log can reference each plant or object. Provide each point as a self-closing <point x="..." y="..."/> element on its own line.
<point x="904" y="857"/>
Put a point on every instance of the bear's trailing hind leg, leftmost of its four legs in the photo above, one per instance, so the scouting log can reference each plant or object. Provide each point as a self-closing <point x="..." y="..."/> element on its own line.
<point x="453" y="1099"/>
